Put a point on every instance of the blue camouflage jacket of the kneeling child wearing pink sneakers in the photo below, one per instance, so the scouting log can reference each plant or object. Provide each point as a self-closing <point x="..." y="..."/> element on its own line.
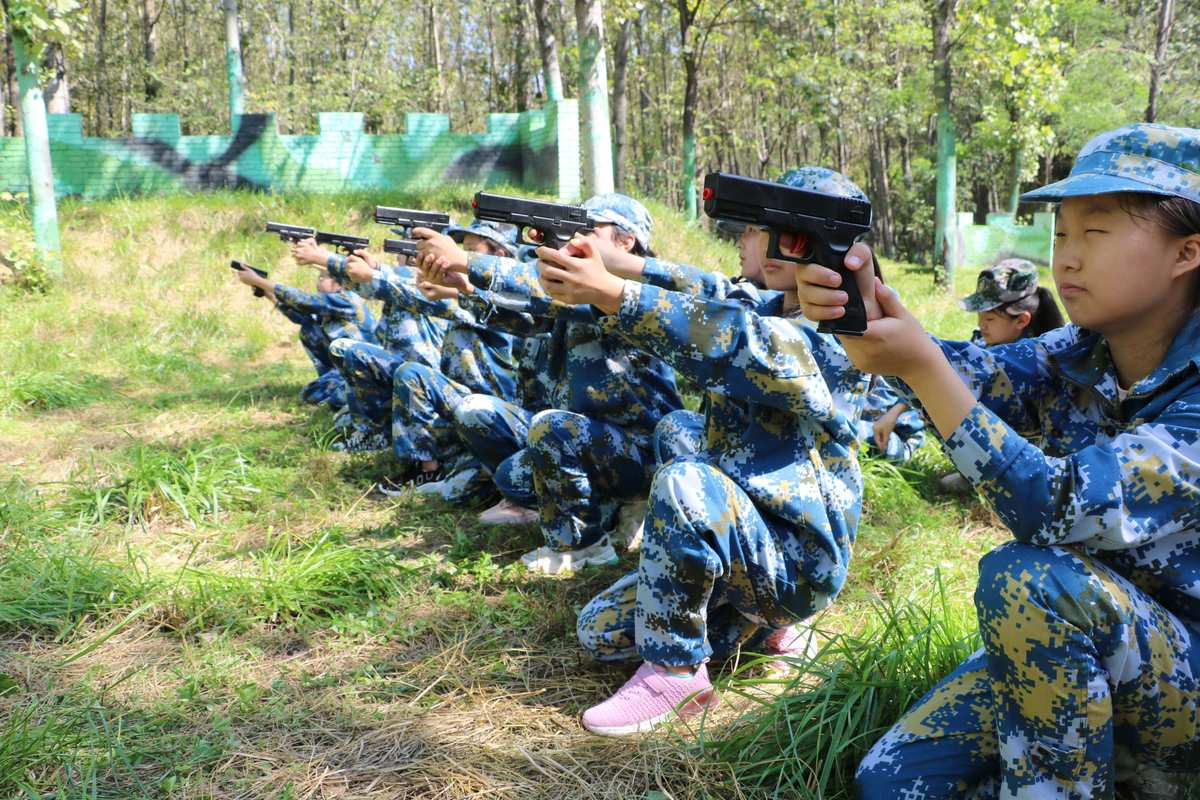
<point x="782" y="401"/>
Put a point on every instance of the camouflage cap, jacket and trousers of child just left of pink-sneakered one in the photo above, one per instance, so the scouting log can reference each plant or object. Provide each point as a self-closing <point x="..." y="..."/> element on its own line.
<point x="591" y="375"/>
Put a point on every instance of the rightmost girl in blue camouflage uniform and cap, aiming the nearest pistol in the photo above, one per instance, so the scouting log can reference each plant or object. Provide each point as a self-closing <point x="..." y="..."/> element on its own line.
<point x="1090" y="619"/>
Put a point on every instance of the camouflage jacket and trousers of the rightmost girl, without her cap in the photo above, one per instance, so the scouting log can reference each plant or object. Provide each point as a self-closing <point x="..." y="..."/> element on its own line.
<point x="1097" y="604"/>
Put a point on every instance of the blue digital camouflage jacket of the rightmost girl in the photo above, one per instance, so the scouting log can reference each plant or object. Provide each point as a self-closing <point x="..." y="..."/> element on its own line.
<point x="1119" y="478"/>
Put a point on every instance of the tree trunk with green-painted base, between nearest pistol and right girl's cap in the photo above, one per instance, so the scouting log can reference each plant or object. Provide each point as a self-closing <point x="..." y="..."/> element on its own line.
<point x="946" y="252"/>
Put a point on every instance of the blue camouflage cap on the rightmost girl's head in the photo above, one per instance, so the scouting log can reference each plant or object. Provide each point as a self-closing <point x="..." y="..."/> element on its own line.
<point x="1143" y="158"/>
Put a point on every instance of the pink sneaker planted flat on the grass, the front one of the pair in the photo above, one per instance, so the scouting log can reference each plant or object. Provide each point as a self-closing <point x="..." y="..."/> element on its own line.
<point x="649" y="700"/>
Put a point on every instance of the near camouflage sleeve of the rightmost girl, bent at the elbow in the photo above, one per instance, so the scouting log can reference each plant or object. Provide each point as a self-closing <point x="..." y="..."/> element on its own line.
<point x="1120" y="494"/>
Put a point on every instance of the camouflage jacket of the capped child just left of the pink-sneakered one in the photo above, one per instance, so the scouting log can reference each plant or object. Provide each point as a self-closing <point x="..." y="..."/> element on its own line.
<point x="586" y="369"/>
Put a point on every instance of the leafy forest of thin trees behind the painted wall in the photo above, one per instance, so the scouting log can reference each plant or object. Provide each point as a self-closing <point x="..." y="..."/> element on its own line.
<point x="749" y="87"/>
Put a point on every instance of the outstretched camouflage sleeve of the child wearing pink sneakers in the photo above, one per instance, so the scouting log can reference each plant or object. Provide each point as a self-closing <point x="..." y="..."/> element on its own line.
<point x="727" y="348"/>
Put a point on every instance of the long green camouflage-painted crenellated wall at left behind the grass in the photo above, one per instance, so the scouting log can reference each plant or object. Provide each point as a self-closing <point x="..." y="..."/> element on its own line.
<point x="538" y="151"/>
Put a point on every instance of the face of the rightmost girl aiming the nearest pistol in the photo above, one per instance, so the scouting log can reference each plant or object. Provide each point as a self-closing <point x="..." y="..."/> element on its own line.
<point x="1114" y="273"/>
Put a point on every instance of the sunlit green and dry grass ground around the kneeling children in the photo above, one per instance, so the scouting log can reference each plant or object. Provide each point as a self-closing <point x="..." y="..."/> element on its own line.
<point x="199" y="599"/>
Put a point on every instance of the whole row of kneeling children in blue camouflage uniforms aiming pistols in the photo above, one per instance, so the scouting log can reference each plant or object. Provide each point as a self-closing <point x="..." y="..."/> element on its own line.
<point x="547" y="378"/>
